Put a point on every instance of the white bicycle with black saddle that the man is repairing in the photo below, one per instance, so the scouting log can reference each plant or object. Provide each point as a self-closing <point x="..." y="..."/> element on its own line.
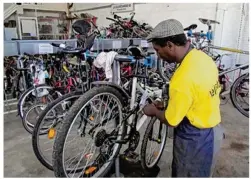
<point x="122" y="113"/>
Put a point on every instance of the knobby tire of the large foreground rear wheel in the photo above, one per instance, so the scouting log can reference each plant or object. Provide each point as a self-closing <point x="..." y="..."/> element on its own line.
<point x="62" y="133"/>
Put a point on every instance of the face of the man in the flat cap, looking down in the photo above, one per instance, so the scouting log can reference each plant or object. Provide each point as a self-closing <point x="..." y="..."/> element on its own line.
<point x="164" y="53"/>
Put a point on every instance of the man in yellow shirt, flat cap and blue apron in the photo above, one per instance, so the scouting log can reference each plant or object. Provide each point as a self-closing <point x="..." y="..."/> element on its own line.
<point x="194" y="103"/>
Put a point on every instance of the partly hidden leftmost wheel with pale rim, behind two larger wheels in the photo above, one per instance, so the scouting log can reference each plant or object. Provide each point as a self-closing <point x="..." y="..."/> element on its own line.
<point x="29" y="98"/>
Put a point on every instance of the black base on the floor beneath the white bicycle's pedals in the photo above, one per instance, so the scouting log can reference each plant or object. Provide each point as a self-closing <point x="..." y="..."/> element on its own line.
<point x="127" y="169"/>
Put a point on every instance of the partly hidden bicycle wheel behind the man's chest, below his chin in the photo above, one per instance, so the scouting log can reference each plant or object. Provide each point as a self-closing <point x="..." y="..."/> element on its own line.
<point x="165" y="69"/>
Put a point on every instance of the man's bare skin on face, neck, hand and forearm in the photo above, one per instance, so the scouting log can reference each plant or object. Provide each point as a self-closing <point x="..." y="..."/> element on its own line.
<point x="170" y="53"/>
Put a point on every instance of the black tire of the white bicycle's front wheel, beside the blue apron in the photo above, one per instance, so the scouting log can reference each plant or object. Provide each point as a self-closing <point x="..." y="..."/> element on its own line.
<point x="144" y="145"/>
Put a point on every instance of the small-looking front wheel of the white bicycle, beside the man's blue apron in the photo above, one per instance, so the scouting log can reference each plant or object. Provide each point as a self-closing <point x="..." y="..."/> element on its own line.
<point x="149" y="159"/>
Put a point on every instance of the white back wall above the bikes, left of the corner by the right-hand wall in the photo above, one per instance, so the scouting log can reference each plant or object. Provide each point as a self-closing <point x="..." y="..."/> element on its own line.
<point x="153" y="13"/>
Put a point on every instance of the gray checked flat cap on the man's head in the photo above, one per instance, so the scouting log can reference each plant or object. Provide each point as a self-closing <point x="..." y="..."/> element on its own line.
<point x="166" y="28"/>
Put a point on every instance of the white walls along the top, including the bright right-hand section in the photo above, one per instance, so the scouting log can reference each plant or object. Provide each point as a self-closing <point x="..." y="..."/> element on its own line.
<point x="226" y="33"/>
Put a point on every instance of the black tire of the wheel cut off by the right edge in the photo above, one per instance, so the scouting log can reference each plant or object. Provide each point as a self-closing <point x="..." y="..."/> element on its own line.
<point x="233" y="94"/>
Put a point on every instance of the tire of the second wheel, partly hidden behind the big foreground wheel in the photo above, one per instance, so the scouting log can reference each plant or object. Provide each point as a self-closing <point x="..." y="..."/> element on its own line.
<point x="36" y="132"/>
